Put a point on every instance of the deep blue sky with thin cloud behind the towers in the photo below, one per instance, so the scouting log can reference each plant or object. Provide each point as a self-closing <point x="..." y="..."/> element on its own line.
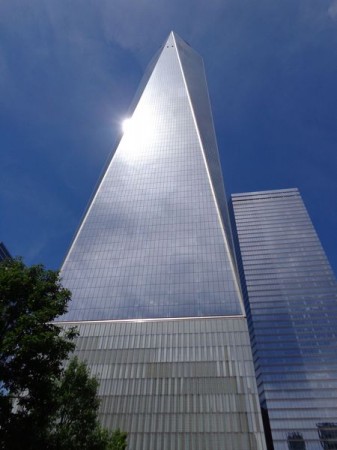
<point x="69" y="70"/>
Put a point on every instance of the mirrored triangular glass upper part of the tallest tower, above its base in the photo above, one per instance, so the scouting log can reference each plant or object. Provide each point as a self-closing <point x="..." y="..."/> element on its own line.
<point x="156" y="241"/>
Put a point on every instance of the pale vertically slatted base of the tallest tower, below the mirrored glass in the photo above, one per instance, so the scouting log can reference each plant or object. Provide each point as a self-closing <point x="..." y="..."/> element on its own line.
<point x="174" y="400"/>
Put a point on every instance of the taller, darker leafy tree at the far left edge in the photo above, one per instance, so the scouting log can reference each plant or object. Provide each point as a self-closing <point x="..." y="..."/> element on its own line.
<point x="32" y="350"/>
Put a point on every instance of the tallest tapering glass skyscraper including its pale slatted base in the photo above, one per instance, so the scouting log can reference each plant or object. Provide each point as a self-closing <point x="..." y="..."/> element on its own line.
<point x="152" y="270"/>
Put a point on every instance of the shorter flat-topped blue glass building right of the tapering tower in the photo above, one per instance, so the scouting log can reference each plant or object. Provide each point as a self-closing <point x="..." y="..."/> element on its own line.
<point x="291" y="302"/>
